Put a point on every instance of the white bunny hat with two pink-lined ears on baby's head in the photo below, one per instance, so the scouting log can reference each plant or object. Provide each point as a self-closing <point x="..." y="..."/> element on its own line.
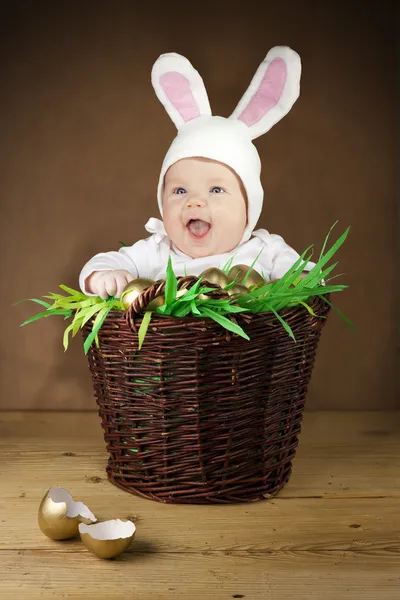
<point x="271" y="94"/>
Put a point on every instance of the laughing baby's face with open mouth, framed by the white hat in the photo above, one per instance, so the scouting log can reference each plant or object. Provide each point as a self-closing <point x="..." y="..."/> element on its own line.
<point x="204" y="207"/>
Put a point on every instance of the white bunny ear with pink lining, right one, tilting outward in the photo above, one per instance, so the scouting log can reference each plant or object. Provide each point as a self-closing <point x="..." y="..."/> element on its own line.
<point x="272" y="92"/>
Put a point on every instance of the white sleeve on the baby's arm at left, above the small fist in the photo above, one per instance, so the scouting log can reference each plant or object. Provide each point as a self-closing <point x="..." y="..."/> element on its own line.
<point x="137" y="259"/>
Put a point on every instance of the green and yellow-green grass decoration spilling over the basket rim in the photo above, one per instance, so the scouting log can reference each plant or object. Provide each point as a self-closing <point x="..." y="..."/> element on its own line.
<point x="289" y="291"/>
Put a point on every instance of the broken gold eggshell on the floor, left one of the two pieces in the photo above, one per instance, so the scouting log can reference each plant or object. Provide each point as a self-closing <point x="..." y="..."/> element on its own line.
<point x="59" y="515"/>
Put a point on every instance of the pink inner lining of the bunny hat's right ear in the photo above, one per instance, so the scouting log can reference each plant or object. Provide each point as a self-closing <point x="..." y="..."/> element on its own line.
<point x="268" y="93"/>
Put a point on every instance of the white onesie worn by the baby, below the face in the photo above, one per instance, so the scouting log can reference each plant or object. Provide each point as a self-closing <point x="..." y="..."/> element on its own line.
<point x="149" y="257"/>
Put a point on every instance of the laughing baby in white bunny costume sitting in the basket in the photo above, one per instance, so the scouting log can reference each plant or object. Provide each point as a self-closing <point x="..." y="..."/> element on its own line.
<point x="209" y="191"/>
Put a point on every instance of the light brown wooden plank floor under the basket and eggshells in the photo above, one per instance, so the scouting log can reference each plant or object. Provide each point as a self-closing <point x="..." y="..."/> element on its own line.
<point x="333" y="533"/>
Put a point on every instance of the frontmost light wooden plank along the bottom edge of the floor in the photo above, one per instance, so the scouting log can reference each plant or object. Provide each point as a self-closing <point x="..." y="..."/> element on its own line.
<point x="218" y="576"/>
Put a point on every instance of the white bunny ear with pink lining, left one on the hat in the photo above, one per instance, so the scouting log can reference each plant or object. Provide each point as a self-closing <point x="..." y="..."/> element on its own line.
<point x="180" y="88"/>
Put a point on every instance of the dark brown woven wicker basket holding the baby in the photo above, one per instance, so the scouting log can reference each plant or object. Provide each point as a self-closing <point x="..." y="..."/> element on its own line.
<point x="200" y="415"/>
